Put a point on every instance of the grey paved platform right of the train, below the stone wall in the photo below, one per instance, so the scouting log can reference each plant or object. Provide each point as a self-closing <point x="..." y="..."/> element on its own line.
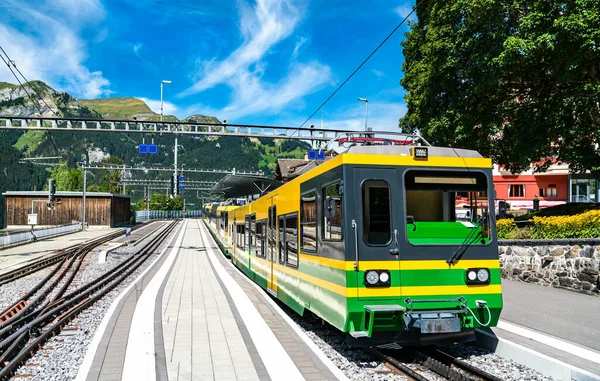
<point x="560" y="324"/>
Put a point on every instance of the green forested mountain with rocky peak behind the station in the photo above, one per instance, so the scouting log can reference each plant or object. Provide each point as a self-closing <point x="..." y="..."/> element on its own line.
<point x="226" y="152"/>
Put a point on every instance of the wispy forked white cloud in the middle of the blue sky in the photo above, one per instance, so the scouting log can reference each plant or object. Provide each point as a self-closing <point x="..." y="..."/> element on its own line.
<point x="262" y="26"/>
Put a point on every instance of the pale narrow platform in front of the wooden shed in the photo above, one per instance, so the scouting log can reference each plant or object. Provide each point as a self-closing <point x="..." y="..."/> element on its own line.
<point x="20" y="255"/>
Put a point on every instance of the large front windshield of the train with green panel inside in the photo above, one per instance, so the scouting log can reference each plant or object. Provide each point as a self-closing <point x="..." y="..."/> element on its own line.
<point x="446" y="207"/>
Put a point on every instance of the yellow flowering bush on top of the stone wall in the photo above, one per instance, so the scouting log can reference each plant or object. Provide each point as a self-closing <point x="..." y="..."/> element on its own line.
<point x="584" y="225"/>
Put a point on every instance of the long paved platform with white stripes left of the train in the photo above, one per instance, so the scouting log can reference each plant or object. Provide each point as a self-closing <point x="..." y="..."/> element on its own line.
<point x="193" y="316"/>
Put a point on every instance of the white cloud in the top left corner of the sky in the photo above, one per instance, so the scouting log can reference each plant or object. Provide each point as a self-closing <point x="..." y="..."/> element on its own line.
<point x="47" y="45"/>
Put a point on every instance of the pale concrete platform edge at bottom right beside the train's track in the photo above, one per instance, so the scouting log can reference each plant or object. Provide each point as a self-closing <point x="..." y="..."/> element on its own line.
<point x="544" y="364"/>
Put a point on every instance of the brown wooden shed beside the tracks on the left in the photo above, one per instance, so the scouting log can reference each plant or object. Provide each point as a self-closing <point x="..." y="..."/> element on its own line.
<point x="102" y="209"/>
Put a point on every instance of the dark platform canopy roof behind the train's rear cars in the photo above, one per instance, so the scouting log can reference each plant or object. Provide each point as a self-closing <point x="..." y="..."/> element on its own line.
<point x="232" y="186"/>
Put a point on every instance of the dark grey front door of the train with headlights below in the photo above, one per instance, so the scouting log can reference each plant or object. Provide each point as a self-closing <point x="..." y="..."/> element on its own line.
<point x="375" y="228"/>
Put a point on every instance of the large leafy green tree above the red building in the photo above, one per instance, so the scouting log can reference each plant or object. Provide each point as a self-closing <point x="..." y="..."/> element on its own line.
<point x="517" y="80"/>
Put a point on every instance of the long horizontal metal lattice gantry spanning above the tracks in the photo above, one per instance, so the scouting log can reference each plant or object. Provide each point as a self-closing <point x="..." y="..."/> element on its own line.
<point x="176" y="128"/>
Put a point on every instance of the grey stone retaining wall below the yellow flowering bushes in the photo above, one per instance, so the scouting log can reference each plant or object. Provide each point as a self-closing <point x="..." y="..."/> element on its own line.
<point x="571" y="265"/>
